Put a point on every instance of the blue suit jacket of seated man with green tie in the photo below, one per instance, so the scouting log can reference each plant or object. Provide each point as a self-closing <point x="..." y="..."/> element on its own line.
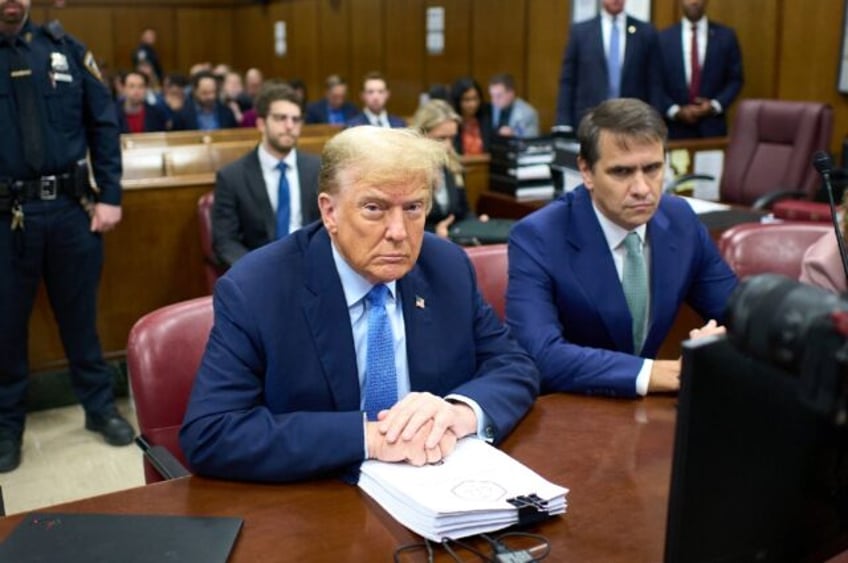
<point x="565" y="303"/>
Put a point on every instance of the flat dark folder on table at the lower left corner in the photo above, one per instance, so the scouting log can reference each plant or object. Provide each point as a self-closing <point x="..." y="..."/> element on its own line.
<point x="128" y="538"/>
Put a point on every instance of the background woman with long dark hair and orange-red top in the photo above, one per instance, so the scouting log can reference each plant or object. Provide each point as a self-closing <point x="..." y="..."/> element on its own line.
<point x="475" y="127"/>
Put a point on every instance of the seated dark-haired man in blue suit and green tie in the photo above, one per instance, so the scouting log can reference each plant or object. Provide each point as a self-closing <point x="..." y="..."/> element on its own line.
<point x="596" y="278"/>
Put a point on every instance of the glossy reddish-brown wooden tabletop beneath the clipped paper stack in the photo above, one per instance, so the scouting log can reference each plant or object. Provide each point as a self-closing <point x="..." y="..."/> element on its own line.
<point x="614" y="455"/>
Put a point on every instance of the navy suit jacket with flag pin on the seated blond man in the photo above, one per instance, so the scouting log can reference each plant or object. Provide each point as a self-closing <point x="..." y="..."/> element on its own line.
<point x="277" y="394"/>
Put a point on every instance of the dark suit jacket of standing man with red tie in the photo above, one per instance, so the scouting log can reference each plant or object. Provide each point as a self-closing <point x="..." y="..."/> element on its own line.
<point x="721" y="78"/>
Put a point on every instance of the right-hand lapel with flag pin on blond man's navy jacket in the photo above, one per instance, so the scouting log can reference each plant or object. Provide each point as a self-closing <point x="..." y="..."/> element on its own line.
<point x="417" y="302"/>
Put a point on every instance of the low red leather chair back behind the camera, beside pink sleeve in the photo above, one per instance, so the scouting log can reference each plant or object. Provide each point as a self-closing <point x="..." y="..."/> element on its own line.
<point x="770" y="248"/>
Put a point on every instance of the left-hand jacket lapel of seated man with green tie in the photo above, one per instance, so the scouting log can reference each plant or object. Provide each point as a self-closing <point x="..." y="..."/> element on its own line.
<point x="596" y="273"/>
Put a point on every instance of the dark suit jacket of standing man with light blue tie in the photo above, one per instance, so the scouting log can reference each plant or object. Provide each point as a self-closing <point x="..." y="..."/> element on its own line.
<point x="583" y="81"/>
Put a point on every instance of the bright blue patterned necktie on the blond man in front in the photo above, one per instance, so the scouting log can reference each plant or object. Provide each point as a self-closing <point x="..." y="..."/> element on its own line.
<point x="380" y="372"/>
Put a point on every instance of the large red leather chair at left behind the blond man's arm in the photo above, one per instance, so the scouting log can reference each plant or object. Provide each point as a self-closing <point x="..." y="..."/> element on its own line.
<point x="163" y="354"/>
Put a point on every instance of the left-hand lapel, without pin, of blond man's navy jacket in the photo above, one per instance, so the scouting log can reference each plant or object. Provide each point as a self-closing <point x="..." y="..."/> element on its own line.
<point x="327" y="315"/>
